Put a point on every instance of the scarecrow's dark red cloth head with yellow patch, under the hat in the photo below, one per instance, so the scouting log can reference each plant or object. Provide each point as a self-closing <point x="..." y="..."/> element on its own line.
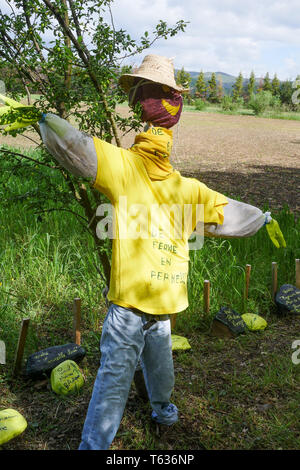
<point x="161" y="104"/>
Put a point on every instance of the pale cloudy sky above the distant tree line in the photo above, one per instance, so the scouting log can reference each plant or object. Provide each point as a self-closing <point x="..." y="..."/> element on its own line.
<point x="230" y="36"/>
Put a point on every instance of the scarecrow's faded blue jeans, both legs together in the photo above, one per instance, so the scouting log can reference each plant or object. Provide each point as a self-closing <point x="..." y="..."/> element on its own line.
<point x="123" y="343"/>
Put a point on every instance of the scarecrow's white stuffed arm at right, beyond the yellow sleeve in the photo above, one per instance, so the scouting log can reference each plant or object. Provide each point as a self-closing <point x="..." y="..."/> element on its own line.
<point x="240" y="220"/>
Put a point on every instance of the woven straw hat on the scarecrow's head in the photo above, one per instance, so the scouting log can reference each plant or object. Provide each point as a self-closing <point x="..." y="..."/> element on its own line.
<point x="155" y="68"/>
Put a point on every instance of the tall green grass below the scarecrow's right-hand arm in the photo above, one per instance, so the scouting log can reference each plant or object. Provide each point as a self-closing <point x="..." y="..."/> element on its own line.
<point x="223" y="262"/>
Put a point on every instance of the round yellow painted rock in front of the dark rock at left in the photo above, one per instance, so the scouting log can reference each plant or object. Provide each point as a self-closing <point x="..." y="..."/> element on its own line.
<point x="66" y="378"/>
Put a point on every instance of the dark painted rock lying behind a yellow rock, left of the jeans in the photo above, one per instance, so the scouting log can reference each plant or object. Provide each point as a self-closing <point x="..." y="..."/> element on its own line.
<point x="42" y="362"/>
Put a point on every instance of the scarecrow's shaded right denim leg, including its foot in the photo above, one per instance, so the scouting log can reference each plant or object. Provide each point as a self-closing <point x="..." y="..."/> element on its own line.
<point x="158" y="369"/>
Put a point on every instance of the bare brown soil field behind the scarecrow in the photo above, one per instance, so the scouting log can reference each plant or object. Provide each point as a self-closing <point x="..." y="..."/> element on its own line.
<point x="255" y="159"/>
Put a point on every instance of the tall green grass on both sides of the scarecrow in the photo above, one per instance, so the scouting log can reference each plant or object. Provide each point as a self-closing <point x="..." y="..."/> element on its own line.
<point x="46" y="262"/>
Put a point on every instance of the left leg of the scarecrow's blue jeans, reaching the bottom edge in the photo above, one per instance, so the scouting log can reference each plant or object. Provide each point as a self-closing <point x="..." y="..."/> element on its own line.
<point x="121" y="344"/>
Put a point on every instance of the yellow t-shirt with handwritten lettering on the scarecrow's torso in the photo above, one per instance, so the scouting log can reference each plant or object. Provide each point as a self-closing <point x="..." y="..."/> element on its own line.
<point x="150" y="256"/>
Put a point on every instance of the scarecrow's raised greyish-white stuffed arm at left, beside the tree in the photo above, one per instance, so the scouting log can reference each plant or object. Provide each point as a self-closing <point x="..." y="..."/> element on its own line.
<point x="73" y="149"/>
